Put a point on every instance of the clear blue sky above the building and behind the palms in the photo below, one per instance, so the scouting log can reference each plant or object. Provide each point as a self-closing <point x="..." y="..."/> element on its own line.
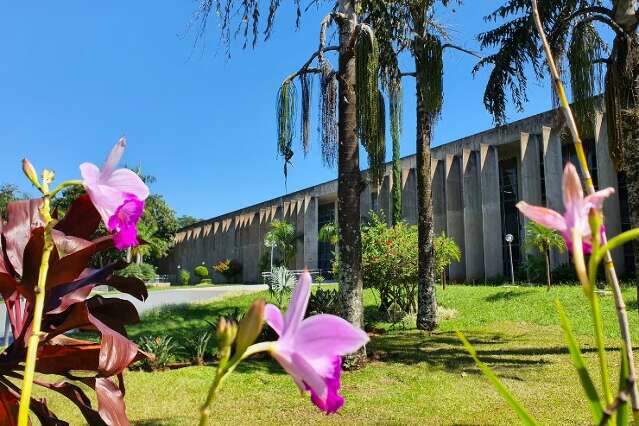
<point x="76" y="75"/>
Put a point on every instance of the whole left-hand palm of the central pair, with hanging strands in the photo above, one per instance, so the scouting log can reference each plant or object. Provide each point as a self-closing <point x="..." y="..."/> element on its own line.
<point x="350" y="108"/>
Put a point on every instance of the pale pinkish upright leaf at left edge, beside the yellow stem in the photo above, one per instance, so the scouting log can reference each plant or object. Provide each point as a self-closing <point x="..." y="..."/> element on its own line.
<point x="23" y="217"/>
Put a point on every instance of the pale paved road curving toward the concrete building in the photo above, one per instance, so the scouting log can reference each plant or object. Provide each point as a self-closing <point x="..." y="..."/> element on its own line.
<point x="176" y="296"/>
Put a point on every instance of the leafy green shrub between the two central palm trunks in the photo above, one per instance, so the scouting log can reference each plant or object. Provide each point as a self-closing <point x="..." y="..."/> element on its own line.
<point x="389" y="261"/>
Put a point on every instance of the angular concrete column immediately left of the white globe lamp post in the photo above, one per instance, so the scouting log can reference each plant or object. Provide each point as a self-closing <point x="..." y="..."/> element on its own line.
<point x="491" y="212"/>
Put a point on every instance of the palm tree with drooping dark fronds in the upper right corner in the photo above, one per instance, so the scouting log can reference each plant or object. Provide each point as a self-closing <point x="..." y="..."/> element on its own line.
<point x="573" y="35"/>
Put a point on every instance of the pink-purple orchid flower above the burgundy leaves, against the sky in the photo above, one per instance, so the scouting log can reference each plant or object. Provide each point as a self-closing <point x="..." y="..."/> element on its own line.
<point x="118" y="195"/>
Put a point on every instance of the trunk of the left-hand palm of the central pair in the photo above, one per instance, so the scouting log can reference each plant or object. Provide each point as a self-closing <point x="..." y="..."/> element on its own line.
<point x="349" y="183"/>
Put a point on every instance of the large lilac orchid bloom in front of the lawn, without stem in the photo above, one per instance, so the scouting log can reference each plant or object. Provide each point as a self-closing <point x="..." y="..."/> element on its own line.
<point x="311" y="349"/>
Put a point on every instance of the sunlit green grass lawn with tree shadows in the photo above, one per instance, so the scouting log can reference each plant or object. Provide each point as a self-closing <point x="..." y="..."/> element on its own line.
<point x="412" y="377"/>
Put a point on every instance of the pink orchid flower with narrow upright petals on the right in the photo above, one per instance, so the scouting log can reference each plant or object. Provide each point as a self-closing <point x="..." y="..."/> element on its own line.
<point x="576" y="207"/>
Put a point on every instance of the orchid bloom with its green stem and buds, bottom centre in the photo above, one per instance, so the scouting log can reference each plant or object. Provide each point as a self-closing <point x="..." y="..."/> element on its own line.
<point x="310" y="350"/>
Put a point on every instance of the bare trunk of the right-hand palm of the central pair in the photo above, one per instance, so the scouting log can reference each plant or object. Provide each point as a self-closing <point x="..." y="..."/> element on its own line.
<point x="427" y="305"/>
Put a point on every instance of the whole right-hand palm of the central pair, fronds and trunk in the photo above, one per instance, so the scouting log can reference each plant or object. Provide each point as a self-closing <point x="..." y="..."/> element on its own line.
<point x="409" y="25"/>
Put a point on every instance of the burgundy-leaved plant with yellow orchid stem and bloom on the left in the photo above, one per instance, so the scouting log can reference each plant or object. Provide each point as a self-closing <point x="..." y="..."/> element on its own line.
<point x="46" y="283"/>
